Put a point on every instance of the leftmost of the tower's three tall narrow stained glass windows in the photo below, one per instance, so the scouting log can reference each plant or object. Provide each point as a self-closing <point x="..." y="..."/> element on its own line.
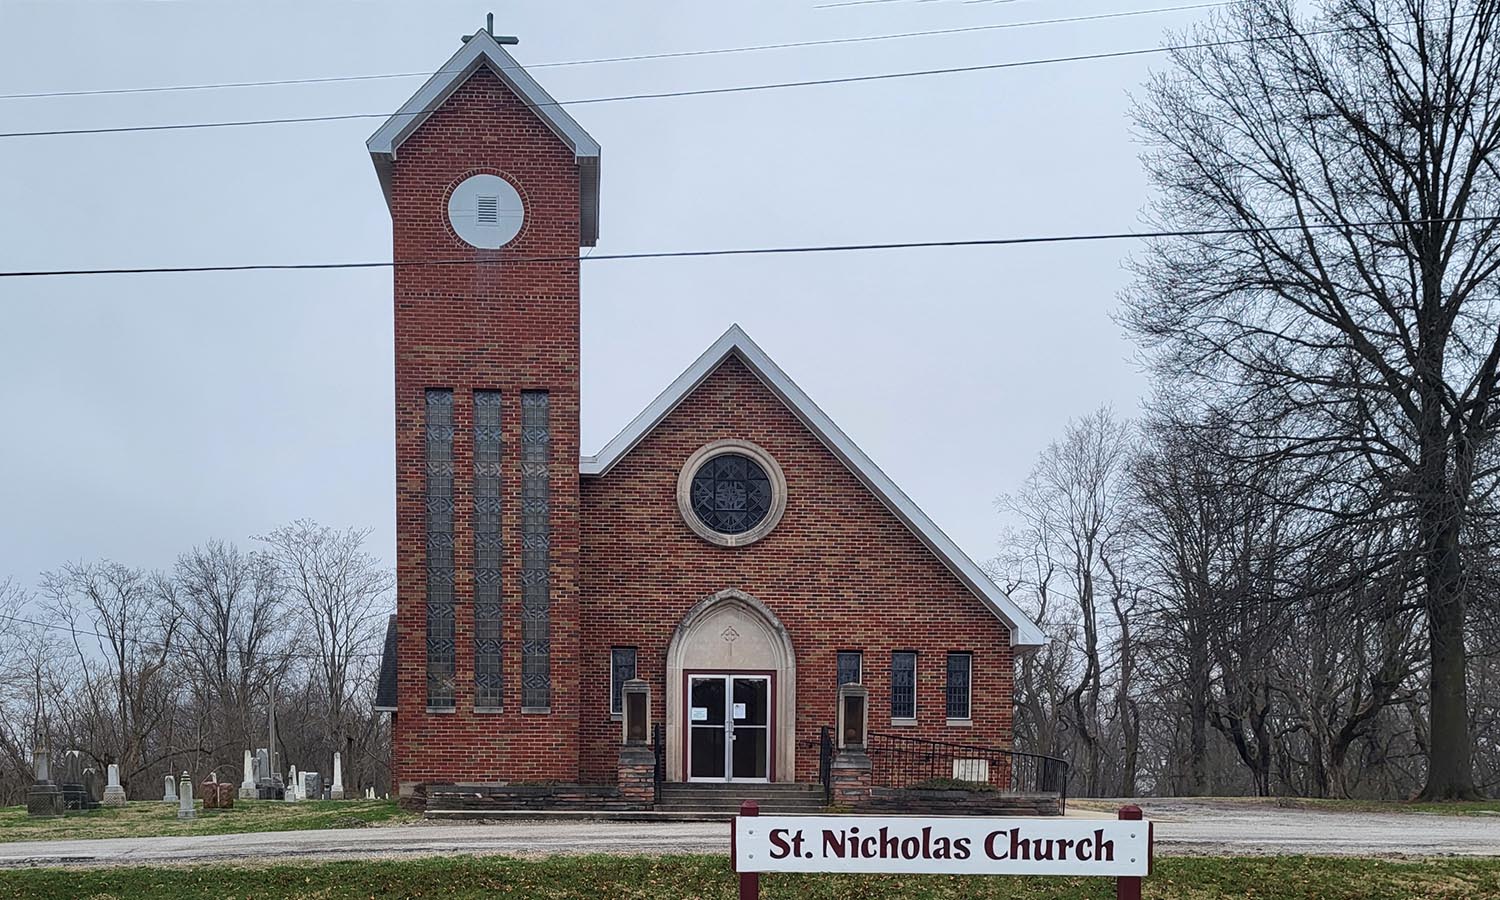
<point x="440" y="548"/>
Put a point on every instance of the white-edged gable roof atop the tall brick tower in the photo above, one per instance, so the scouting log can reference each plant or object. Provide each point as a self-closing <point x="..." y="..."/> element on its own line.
<point x="482" y="50"/>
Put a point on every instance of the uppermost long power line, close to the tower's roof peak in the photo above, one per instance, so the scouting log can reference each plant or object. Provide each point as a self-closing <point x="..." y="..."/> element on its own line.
<point x="631" y="59"/>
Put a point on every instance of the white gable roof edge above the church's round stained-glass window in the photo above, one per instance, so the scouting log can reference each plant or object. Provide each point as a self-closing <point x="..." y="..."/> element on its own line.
<point x="1025" y="634"/>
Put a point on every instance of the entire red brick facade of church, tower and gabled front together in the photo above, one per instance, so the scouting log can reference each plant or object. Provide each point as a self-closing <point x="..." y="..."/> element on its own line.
<point x="839" y="571"/>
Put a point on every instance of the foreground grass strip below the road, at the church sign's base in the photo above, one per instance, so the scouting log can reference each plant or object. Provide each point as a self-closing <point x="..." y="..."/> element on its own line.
<point x="605" y="878"/>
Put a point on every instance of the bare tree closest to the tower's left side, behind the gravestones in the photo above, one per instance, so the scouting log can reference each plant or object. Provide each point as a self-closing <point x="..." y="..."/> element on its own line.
<point x="343" y="596"/>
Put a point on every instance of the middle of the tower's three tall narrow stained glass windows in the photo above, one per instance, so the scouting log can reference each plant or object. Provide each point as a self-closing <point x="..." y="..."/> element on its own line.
<point x="487" y="551"/>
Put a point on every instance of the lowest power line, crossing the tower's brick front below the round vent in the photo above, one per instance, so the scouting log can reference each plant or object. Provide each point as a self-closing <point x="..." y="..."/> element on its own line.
<point x="995" y="242"/>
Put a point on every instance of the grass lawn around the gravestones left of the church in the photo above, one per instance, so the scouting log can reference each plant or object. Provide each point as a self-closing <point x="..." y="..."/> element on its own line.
<point x="155" y="820"/>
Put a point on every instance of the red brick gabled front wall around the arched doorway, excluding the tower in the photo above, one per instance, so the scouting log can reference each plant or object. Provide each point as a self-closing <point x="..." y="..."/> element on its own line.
<point x="841" y="572"/>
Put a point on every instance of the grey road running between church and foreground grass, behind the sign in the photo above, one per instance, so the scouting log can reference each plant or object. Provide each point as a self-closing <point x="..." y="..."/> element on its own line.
<point x="1183" y="829"/>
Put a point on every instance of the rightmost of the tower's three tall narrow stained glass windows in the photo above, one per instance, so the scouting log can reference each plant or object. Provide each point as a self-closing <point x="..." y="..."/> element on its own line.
<point x="536" y="551"/>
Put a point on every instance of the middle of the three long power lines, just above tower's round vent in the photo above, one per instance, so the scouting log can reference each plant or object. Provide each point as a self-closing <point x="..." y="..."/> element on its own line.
<point x="646" y="97"/>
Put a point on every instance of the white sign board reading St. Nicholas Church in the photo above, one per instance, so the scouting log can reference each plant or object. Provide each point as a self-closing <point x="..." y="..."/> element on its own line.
<point x="955" y="847"/>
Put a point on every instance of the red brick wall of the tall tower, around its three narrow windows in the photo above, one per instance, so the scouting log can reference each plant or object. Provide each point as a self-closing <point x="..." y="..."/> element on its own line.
<point x="500" y="326"/>
